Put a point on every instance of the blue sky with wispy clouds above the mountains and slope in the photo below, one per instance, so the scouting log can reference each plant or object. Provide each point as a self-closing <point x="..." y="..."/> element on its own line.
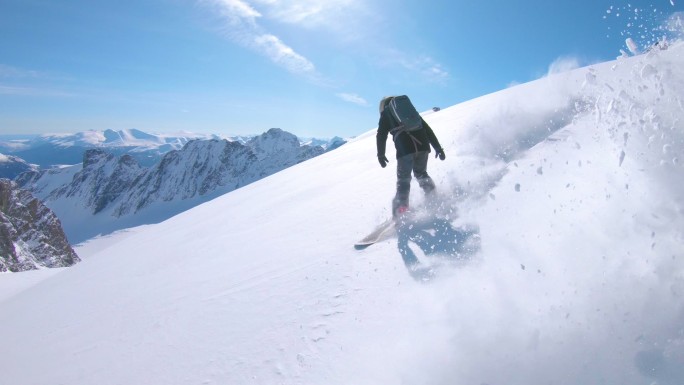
<point x="311" y="67"/>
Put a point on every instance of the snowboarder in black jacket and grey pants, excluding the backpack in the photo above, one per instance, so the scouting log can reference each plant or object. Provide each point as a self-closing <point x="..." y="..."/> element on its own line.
<point x="412" y="149"/>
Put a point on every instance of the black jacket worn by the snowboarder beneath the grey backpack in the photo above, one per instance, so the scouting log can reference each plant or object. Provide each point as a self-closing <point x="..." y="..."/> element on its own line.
<point x="421" y="141"/>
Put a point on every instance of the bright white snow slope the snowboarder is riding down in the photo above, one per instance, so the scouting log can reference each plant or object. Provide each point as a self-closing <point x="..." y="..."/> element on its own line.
<point x="573" y="183"/>
